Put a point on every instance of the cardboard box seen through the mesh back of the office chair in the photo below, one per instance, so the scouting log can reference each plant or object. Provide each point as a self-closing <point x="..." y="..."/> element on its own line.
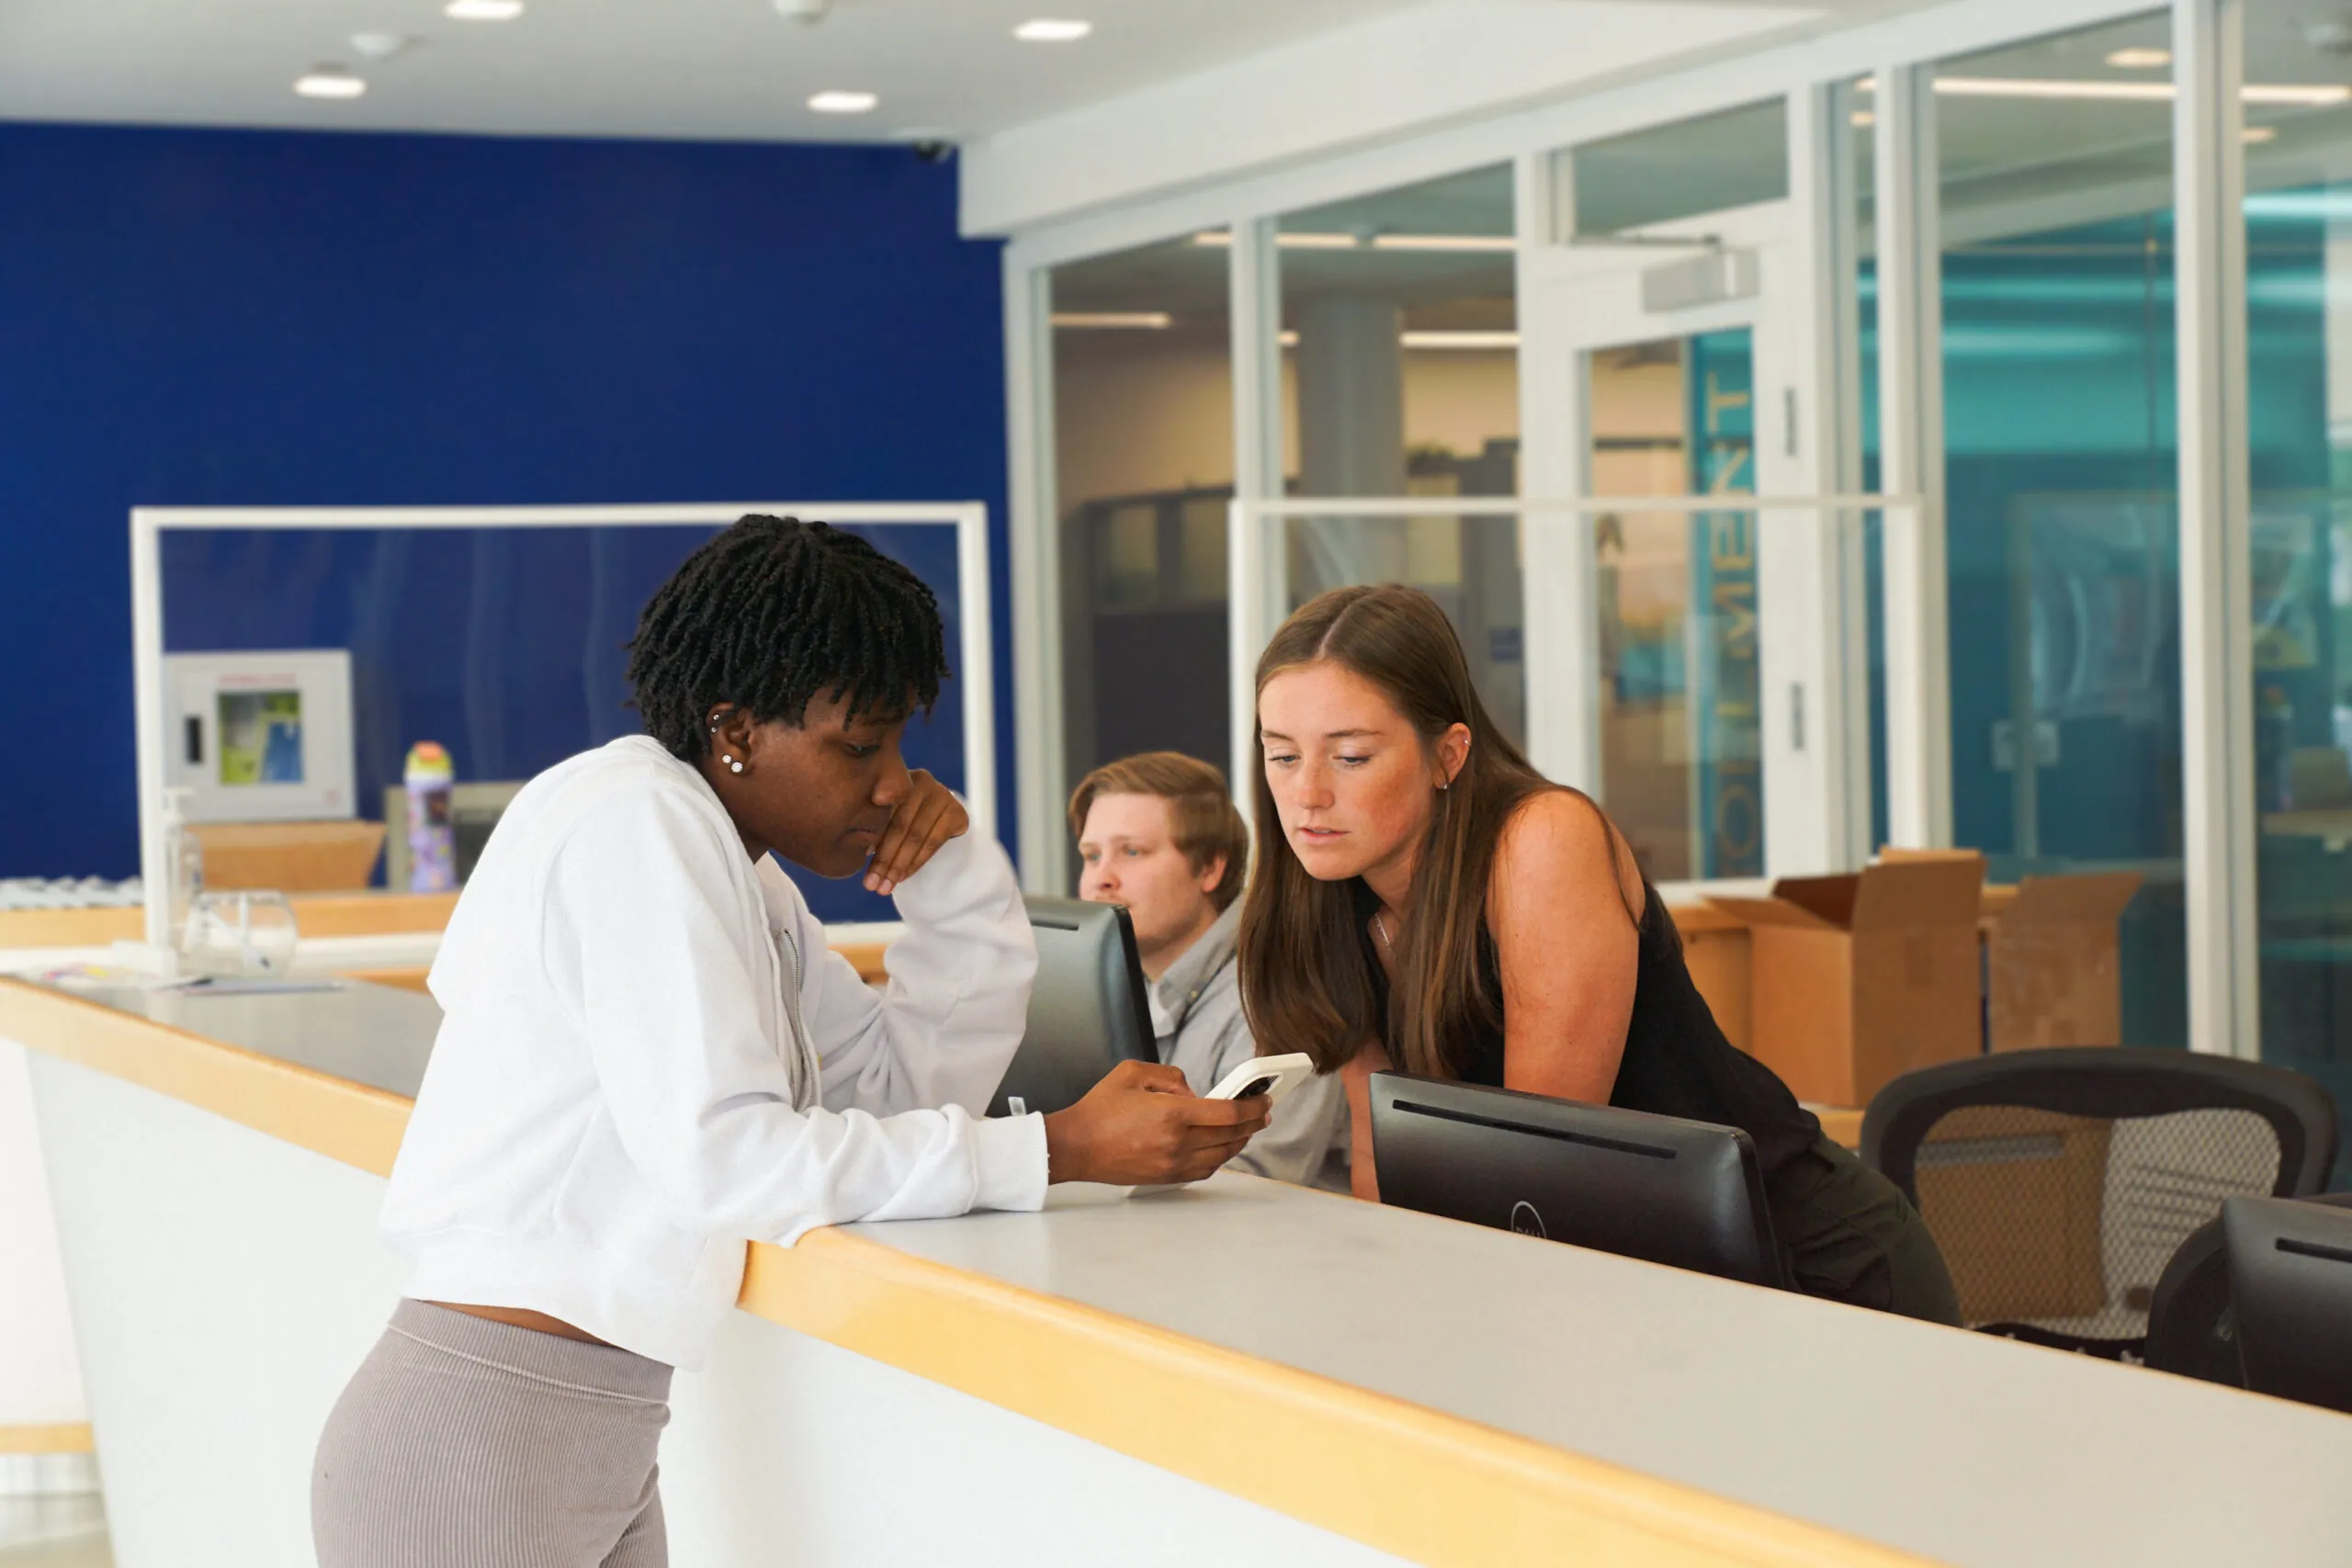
<point x="2014" y="1200"/>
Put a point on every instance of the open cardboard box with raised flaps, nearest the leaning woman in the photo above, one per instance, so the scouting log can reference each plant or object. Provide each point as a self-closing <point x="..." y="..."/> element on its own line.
<point x="1862" y="979"/>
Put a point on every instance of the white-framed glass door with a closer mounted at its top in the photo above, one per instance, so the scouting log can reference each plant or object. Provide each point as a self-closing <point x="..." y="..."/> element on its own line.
<point x="1713" y="718"/>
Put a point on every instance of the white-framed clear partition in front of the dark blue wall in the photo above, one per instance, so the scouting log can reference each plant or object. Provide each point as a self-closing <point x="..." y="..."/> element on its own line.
<point x="288" y="659"/>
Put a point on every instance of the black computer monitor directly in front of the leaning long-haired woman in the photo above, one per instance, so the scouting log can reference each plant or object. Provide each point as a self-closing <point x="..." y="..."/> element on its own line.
<point x="1619" y="1181"/>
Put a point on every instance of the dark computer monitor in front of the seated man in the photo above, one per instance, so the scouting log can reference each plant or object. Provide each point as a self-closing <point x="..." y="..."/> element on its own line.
<point x="1088" y="1007"/>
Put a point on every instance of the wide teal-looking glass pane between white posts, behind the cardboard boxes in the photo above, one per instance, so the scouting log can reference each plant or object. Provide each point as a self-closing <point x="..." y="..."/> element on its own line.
<point x="2062" y="514"/>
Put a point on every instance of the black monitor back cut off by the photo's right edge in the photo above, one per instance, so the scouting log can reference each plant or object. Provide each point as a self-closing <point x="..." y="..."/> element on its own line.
<point x="2292" y="1287"/>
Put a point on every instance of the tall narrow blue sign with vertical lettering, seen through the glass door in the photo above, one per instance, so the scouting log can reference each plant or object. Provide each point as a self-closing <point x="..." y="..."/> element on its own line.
<point x="1728" y="763"/>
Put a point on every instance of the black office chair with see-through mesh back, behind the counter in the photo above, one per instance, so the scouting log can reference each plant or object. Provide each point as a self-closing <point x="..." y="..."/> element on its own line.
<point x="2062" y="1184"/>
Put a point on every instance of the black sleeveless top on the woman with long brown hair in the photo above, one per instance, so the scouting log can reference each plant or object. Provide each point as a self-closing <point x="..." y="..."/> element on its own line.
<point x="1676" y="1064"/>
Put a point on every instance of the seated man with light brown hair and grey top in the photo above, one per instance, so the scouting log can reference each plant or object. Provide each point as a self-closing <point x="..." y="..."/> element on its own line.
<point x="1158" y="833"/>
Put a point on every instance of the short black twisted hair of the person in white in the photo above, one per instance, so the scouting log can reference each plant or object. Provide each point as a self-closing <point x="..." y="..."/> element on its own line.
<point x="775" y="612"/>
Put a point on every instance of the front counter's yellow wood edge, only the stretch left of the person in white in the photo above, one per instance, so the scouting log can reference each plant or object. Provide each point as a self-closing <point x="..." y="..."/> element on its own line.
<point x="312" y="1111"/>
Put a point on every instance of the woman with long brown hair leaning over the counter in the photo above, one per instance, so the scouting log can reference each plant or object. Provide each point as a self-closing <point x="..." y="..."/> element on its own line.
<point x="1426" y="899"/>
